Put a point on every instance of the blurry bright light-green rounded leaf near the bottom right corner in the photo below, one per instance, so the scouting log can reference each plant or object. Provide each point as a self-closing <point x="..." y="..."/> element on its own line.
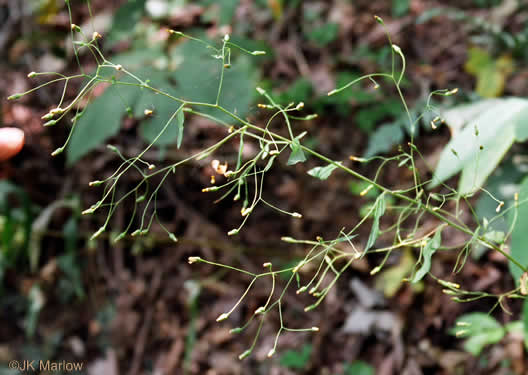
<point x="480" y="330"/>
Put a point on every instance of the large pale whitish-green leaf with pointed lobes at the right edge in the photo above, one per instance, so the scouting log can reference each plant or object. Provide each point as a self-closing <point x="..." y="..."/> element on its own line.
<point x="497" y="128"/>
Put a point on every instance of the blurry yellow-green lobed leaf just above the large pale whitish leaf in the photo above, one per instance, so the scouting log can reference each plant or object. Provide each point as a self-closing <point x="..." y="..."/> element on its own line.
<point x="491" y="74"/>
